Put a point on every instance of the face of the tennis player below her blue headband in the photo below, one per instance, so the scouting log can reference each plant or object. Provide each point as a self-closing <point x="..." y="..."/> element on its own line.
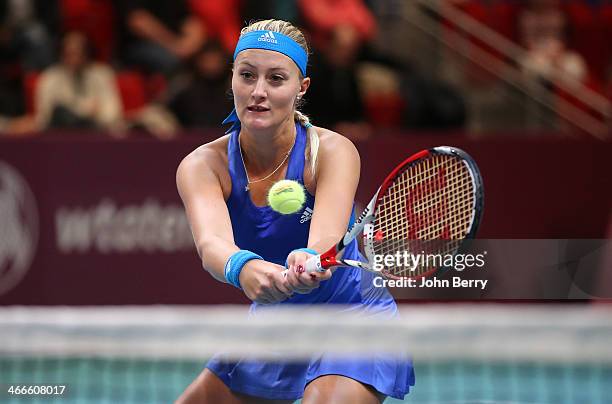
<point x="265" y="86"/>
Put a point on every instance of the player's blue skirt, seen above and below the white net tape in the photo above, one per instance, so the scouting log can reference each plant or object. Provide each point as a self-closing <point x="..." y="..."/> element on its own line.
<point x="390" y="375"/>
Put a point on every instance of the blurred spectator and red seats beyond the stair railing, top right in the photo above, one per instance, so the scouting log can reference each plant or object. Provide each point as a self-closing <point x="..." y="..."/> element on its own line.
<point x="567" y="42"/>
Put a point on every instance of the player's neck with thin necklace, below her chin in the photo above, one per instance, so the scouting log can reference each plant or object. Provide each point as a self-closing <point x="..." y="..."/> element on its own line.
<point x="263" y="149"/>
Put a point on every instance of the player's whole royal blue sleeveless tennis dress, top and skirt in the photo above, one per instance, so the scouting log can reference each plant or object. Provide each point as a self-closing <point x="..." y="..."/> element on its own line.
<point x="274" y="236"/>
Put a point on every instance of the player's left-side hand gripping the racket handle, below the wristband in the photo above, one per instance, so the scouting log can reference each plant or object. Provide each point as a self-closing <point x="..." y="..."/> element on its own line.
<point x="263" y="282"/>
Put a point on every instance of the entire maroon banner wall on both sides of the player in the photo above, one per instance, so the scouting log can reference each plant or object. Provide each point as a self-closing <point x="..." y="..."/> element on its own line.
<point x="86" y="220"/>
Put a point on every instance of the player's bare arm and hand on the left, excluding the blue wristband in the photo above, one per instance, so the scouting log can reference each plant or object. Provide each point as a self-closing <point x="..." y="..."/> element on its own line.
<point x="199" y="186"/>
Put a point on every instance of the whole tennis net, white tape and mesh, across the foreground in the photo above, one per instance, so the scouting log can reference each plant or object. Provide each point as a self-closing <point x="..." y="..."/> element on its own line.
<point x="462" y="353"/>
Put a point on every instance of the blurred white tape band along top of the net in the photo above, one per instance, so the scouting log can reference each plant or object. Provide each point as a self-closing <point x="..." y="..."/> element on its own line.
<point x="549" y="333"/>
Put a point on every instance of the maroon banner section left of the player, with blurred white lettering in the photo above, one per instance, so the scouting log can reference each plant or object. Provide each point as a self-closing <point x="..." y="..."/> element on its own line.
<point x="93" y="221"/>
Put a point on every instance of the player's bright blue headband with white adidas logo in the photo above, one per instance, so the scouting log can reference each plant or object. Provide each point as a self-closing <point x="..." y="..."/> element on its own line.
<point x="268" y="40"/>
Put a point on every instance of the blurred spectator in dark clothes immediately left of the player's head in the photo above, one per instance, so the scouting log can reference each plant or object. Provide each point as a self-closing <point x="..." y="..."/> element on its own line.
<point x="199" y="97"/>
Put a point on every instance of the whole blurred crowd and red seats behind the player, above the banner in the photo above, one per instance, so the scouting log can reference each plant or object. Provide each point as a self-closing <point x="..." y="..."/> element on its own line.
<point x="157" y="66"/>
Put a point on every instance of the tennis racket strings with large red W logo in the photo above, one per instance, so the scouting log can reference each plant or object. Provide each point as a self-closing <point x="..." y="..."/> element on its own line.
<point x="427" y="210"/>
